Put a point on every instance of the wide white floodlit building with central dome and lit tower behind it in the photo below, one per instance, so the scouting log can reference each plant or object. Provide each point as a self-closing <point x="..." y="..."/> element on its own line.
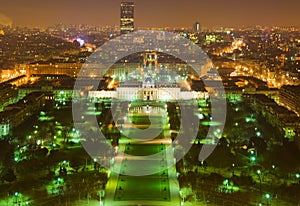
<point x="152" y="85"/>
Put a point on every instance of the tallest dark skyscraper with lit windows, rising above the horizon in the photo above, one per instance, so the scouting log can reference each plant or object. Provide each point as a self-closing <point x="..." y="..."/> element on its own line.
<point x="127" y="17"/>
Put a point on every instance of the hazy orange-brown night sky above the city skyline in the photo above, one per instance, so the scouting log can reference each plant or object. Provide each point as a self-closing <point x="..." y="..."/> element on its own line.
<point x="152" y="13"/>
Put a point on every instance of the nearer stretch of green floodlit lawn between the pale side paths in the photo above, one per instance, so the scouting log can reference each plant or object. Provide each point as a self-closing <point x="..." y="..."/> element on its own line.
<point x="153" y="187"/>
